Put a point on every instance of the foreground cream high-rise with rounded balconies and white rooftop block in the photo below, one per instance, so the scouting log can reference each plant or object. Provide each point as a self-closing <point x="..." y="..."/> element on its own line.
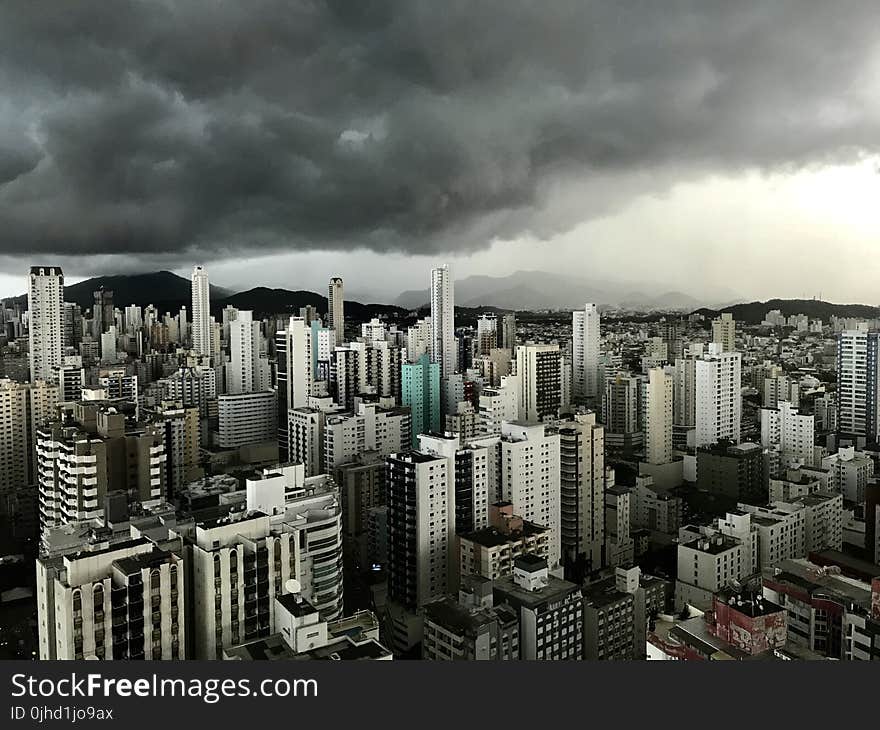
<point x="291" y="528"/>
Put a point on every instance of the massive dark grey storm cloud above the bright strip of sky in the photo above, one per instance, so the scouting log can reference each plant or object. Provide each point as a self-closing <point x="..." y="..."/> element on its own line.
<point x="220" y="127"/>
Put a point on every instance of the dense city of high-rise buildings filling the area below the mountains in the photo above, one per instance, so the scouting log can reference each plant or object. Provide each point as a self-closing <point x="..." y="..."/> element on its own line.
<point x="226" y="484"/>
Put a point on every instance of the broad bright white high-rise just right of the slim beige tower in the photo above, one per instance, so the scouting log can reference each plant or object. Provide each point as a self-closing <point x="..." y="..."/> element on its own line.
<point x="718" y="401"/>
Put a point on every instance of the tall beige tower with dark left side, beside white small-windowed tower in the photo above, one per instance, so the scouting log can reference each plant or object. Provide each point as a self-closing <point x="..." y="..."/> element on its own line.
<point x="582" y="484"/>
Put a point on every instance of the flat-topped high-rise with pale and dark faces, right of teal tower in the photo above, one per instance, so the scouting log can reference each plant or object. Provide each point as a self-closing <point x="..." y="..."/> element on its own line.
<point x="538" y="375"/>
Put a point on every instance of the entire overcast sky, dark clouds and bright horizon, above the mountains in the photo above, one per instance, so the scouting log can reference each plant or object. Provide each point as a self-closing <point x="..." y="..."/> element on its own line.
<point x="708" y="145"/>
